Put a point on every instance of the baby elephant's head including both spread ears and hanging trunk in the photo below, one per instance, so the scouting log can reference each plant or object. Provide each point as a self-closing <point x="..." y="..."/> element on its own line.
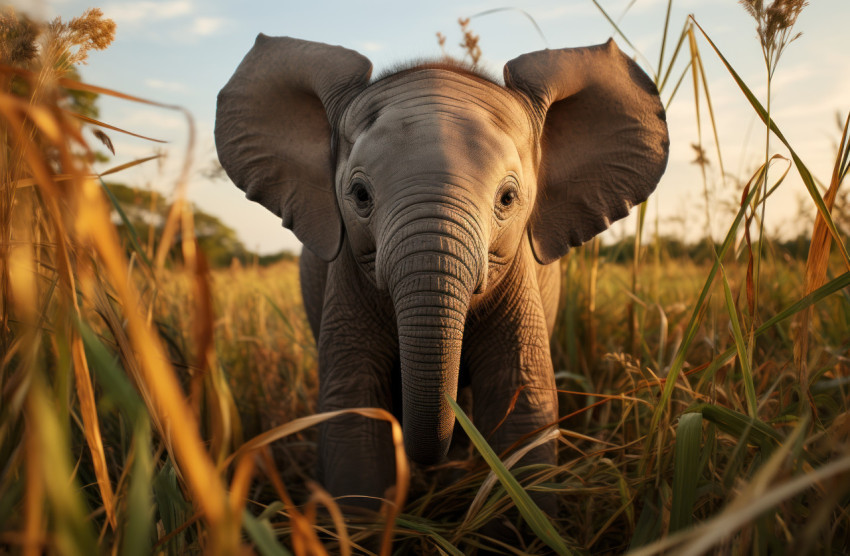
<point x="436" y="178"/>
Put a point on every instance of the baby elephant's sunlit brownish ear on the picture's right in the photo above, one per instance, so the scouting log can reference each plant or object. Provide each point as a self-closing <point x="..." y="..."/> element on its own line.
<point x="603" y="141"/>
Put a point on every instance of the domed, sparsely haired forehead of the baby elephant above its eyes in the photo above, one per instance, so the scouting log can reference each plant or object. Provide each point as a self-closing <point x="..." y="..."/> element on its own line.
<point x="436" y="120"/>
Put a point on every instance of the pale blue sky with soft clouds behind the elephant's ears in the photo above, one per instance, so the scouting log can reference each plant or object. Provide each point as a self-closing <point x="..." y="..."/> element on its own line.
<point x="183" y="51"/>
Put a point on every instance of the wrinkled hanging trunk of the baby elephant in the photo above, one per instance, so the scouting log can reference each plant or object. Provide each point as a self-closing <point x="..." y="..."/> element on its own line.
<point x="431" y="276"/>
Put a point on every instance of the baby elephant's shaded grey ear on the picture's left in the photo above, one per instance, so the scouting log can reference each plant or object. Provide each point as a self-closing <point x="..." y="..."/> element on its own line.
<point x="273" y="131"/>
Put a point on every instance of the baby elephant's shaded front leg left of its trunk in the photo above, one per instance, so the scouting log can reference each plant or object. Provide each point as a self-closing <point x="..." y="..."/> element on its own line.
<point x="357" y="354"/>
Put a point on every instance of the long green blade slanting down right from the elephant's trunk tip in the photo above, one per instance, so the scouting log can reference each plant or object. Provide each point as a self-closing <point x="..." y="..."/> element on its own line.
<point x="533" y="515"/>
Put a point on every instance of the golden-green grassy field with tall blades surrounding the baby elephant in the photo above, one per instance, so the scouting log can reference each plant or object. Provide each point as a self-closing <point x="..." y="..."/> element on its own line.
<point x="148" y="406"/>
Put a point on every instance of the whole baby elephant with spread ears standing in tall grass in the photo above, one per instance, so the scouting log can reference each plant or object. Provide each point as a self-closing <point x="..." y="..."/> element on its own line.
<point x="433" y="205"/>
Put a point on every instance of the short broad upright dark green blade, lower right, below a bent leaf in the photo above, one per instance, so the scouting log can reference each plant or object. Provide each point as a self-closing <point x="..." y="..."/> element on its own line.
<point x="686" y="470"/>
